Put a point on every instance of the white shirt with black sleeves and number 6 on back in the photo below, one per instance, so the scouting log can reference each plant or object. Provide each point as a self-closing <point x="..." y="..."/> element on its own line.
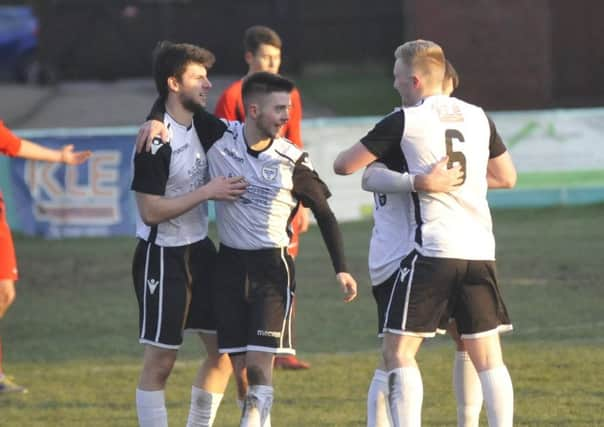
<point x="446" y="225"/>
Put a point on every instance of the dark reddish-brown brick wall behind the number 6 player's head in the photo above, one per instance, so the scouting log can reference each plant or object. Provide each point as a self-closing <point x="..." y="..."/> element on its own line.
<point x="500" y="48"/>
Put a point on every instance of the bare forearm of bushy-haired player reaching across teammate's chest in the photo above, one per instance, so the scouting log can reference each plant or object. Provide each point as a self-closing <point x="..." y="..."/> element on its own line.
<point x="155" y="209"/>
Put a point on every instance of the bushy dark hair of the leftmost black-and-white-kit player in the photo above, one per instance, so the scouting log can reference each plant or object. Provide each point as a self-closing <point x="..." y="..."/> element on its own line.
<point x="171" y="60"/>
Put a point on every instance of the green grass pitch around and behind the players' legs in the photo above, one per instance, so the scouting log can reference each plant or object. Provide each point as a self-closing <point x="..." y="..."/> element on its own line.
<point x="71" y="335"/>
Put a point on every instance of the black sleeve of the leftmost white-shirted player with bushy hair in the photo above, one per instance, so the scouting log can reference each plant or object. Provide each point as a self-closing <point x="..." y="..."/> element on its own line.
<point x="151" y="171"/>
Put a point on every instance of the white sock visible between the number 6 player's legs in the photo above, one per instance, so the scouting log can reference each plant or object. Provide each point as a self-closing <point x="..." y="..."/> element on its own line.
<point x="468" y="391"/>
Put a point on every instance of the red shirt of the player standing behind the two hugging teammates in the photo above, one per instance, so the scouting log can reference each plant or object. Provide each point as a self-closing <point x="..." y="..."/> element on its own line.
<point x="230" y="107"/>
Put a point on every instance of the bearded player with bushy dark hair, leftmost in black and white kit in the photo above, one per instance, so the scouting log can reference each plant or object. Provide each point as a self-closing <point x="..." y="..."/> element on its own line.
<point x="174" y="260"/>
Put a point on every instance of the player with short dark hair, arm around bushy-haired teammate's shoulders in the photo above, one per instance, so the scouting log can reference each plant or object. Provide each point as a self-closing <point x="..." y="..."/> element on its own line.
<point x="255" y="280"/>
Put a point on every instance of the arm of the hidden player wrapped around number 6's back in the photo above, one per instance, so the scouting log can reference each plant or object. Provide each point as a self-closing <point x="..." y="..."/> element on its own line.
<point x="379" y="179"/>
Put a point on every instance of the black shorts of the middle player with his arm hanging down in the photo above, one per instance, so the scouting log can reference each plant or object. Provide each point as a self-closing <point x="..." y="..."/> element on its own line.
<point x="254" y="294"/>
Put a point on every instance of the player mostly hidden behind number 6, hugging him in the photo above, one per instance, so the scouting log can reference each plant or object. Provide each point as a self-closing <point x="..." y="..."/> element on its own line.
<point x="388" y="178"/>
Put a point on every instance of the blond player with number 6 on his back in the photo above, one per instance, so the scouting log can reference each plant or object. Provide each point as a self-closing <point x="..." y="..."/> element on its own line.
<point x="452" y="266"/>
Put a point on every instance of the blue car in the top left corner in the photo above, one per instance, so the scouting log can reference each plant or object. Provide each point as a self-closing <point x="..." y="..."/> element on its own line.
<point x="18" y="43"/>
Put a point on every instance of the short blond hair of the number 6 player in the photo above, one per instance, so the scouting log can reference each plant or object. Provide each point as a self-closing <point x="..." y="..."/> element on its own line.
<point x="424" y="57"/>
